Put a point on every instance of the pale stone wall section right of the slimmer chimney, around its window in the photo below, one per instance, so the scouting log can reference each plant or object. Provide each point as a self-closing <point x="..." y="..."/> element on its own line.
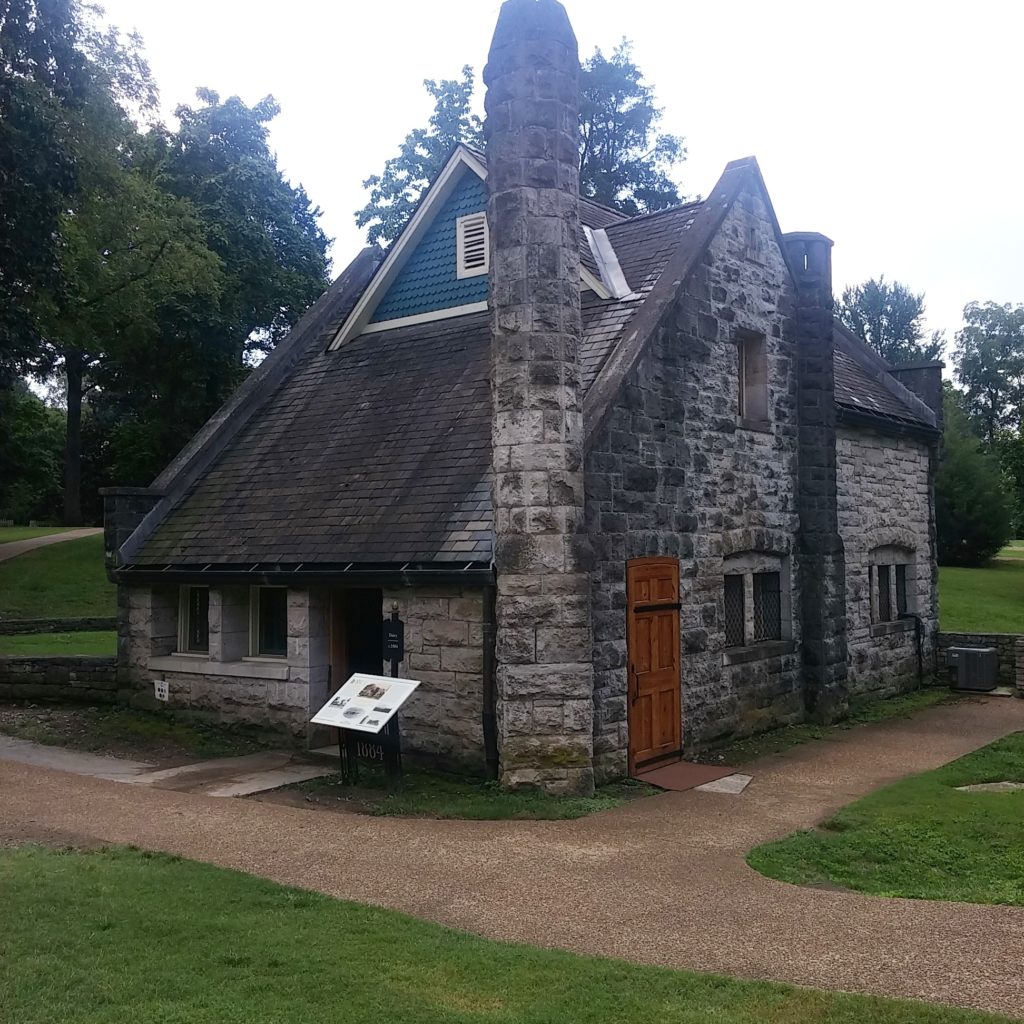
<point x="885" y="501"/>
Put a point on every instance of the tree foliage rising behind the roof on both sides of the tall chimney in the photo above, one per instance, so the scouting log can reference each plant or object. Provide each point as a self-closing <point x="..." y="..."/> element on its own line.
<point x="624" y="161"/>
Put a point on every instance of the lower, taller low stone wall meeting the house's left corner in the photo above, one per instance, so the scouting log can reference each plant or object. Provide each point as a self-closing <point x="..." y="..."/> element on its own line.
<point x="81" y="678"/>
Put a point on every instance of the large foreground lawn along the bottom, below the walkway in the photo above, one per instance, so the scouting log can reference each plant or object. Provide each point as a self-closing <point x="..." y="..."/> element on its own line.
<point x="124" y="937"/>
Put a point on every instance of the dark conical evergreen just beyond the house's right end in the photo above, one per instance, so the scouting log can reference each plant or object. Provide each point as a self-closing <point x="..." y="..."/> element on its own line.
<point x="973" y="511"/>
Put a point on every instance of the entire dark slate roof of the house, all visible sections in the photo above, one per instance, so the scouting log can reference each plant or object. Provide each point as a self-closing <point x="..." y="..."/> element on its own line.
<point x="379" y="452"/>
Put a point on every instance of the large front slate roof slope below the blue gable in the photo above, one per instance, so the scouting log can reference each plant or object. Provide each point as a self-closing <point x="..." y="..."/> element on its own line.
<point x="376" y="453"/>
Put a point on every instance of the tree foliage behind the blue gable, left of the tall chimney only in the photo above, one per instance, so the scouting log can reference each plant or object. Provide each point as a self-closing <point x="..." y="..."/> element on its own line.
<point x="395" y="193"/>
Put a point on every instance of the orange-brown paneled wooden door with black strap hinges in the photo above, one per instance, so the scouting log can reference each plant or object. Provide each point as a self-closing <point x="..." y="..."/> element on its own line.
<point x="653" y="655"/>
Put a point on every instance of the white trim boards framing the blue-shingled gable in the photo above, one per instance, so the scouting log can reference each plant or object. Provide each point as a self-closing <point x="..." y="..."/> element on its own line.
<point x="358" y="321"/>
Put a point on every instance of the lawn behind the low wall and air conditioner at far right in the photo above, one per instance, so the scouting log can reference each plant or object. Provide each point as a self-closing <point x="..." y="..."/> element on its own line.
<point x="987" y="601"/>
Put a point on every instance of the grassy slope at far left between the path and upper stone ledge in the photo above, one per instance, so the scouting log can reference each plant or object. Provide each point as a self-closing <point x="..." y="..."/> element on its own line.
<point x="62" y="581"/>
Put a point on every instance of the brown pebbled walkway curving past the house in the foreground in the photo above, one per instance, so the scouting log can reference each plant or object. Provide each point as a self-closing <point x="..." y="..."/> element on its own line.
<point x="660" y="881"/>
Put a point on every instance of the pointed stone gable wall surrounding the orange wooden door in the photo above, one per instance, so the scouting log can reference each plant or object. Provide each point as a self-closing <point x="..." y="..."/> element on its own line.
<point x="674" y="473"/>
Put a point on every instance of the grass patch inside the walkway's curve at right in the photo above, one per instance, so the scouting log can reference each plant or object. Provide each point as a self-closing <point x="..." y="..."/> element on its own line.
<point x="920" y="838"/>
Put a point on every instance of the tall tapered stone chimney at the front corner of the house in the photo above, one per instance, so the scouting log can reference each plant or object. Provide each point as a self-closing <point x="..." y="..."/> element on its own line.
<point x="544" y="650"/>
